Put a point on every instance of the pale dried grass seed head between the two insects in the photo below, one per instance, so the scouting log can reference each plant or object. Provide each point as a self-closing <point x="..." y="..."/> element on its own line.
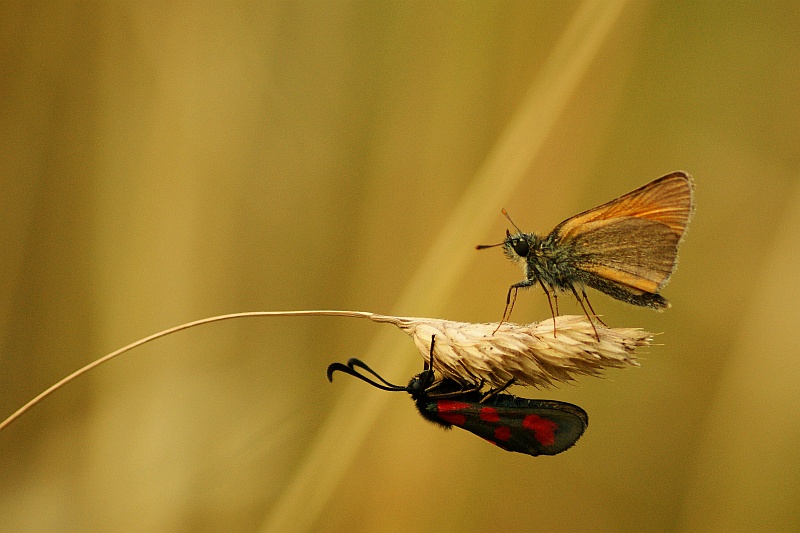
<point x="531" y="354"/>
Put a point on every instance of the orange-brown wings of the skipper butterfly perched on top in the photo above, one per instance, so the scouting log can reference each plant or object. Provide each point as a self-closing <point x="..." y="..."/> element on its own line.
<point x="632" y="241"/>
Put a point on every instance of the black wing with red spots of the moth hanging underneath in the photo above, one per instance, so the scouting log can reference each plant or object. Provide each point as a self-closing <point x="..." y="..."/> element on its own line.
<point x="533" y="427"/>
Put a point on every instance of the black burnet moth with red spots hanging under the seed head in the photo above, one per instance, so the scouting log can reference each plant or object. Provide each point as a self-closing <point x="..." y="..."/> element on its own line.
<point x="533" y="427"/>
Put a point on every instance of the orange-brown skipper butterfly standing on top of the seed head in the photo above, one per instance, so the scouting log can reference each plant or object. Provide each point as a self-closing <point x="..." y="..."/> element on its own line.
<point x="626" y="248"/>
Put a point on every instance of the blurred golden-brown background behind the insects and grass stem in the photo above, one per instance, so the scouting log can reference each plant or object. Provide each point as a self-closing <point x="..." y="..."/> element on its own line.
<point x="163" y="163"/>
